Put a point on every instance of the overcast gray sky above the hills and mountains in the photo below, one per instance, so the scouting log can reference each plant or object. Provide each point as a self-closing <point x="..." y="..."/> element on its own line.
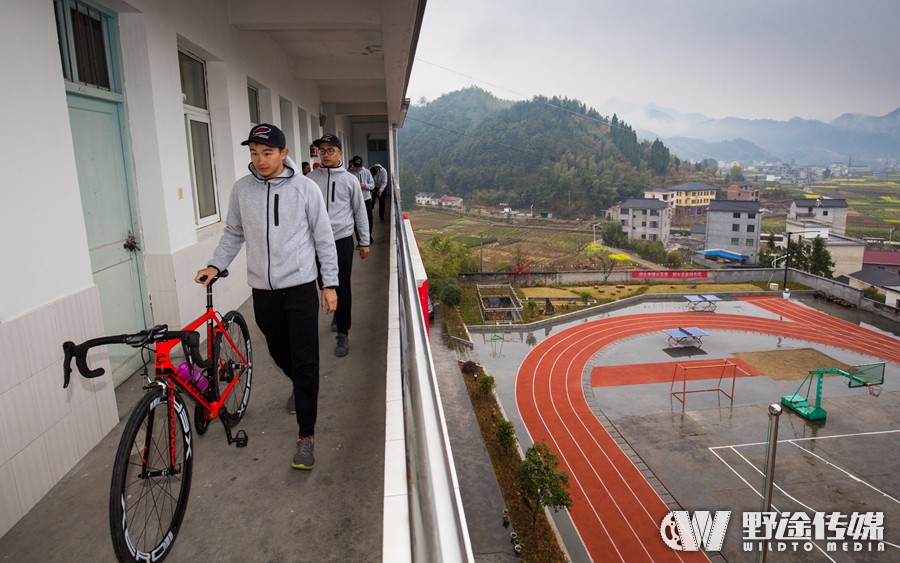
<point x="777" y="59"/>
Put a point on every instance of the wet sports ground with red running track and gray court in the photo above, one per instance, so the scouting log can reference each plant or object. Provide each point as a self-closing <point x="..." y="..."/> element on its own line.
<point x="599" y="392"/>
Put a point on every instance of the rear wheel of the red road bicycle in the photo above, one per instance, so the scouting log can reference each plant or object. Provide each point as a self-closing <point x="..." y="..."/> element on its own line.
<point x="234" y="363"/>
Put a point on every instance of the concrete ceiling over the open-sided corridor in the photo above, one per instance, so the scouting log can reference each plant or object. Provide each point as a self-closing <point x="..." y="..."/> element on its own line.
<point x="358" y="52"/>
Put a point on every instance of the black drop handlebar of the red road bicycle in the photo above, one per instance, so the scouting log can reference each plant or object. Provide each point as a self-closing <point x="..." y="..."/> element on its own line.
<point x="190" y="341"/>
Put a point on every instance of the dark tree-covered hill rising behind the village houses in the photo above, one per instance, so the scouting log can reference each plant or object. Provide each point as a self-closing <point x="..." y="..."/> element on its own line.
<point x="554" y="154"/>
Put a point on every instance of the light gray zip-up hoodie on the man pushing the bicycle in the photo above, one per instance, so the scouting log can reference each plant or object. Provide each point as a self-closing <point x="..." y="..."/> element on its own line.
<point x="285" y="225"/>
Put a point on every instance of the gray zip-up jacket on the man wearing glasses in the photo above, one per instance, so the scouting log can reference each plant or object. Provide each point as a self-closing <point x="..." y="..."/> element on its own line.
<point x="344" y="201"/>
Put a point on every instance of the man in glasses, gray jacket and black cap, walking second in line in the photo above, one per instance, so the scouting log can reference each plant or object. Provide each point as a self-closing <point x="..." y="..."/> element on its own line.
<point x="347" y="210"/>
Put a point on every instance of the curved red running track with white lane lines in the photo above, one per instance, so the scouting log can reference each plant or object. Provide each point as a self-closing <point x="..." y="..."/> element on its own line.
<point x="615" y="510"/>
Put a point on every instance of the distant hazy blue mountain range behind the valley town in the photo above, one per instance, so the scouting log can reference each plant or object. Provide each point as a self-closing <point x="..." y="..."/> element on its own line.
<point x="866" y="139"/>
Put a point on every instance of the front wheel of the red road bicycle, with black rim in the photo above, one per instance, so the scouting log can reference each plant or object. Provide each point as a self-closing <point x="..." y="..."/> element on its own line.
<point x="151" y="479"/>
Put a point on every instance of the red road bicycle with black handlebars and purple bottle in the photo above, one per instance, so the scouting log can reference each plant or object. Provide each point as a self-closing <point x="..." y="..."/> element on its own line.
<point x="151" y="478"/>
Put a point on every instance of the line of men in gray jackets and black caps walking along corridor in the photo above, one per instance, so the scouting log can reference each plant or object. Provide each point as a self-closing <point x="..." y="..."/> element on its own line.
<point x="298" y="226"/>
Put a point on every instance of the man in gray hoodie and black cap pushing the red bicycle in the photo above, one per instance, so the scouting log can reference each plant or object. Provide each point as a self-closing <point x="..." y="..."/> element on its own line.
<point x="281" y="217"/>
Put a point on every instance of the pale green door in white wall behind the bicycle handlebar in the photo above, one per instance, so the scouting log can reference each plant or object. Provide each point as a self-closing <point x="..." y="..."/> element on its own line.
<point x="109" y="218"/>
